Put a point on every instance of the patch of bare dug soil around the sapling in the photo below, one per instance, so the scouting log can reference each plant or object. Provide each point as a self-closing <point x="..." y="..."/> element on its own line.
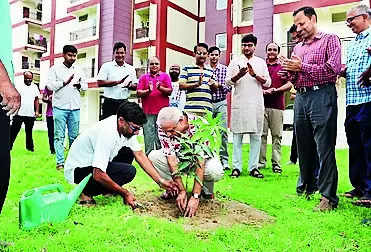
<point x="211" y="214"/>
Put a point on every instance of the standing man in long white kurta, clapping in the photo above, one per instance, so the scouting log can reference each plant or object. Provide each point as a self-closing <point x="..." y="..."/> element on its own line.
<point x="248" y="74"/>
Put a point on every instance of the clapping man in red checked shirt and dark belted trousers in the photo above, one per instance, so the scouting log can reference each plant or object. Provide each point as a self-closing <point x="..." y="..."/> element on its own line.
<point x="313" y="69"/>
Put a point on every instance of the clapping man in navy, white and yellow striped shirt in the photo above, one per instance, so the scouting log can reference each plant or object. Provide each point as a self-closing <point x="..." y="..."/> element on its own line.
<point x="197" y="80"/>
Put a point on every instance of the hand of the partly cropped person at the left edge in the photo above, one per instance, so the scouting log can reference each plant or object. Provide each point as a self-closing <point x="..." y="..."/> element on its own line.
<point x="11" y="99"/>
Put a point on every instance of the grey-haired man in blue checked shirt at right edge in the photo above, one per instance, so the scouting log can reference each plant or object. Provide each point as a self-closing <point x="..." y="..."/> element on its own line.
<point x="358" y="109"/>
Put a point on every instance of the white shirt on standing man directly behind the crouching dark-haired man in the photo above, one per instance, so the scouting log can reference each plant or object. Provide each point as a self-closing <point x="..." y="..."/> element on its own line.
<point x="111" y="71"/>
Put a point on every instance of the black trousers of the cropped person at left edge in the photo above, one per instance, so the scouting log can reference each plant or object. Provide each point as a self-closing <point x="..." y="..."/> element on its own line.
<point x="4" y="156"/>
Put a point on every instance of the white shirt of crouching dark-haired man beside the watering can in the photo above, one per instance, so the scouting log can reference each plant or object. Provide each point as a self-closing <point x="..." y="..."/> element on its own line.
<point x="97" y="146"/>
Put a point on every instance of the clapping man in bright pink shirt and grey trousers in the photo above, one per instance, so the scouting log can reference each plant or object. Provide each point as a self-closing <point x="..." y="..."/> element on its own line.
<point x="154" y="89"/>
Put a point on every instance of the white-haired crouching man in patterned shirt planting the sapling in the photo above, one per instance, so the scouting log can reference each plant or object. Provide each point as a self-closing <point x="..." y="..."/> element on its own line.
<point x="172" y="124"/>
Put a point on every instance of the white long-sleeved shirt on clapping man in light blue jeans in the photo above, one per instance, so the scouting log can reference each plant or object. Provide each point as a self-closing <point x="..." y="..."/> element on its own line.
<point x="66" y="97"/>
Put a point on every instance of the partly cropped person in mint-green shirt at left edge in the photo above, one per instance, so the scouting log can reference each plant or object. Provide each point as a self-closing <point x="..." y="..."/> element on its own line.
<point x="9" y="98"/>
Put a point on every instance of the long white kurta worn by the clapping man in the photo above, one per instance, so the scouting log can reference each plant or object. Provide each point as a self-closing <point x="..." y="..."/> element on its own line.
<point x="247" y="110"/>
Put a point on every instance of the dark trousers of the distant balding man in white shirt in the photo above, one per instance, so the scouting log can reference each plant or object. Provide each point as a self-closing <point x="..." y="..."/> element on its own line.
<point x="16" y="127"/>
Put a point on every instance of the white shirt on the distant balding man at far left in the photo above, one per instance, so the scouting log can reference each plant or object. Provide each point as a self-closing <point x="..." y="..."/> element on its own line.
<point x="28" y="95"/>
